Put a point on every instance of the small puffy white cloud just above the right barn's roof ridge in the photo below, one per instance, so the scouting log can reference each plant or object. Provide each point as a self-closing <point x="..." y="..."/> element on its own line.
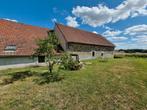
<point x="71" y="21"/>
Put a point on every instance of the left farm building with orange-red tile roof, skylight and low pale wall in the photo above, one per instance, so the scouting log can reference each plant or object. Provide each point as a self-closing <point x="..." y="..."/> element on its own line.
<point x="18" y="41"/>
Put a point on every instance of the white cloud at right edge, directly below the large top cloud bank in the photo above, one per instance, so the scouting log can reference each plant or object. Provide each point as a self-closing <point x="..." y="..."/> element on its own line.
<point x="136" y="30"/>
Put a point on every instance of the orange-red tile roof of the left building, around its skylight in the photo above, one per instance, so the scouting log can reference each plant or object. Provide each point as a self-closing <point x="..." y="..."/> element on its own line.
<point x="21" y="35"/>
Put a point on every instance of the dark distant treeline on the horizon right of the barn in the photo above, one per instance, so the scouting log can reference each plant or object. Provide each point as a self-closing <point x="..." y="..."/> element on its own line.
<point x="133" y="50"/>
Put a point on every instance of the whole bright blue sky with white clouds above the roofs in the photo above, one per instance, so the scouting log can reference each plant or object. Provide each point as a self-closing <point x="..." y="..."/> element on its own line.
<point x="124" y="22"/>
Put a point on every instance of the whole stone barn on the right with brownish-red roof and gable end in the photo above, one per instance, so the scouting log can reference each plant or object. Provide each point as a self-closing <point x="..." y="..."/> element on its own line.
<point x="86" y="45"/>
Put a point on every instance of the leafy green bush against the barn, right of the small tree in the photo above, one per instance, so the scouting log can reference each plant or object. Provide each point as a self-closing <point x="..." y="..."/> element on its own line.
<point x="68" y="63"/>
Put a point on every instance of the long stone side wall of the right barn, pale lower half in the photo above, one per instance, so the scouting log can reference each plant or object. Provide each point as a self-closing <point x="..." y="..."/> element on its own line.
<point x="90" y="51"/>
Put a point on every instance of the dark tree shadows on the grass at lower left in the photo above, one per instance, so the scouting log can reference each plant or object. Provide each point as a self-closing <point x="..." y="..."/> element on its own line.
<point x="42" y="78"/>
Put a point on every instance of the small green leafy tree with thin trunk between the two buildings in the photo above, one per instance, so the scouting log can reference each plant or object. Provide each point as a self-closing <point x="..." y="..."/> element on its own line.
<point x="48" y="47"/>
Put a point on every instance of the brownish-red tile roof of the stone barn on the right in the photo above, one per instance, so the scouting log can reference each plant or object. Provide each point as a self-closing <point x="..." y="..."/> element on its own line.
<point x="80" y="36"/>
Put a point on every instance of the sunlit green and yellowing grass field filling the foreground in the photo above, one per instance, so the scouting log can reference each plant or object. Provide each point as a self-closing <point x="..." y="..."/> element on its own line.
<point x="118" y="84"/>
